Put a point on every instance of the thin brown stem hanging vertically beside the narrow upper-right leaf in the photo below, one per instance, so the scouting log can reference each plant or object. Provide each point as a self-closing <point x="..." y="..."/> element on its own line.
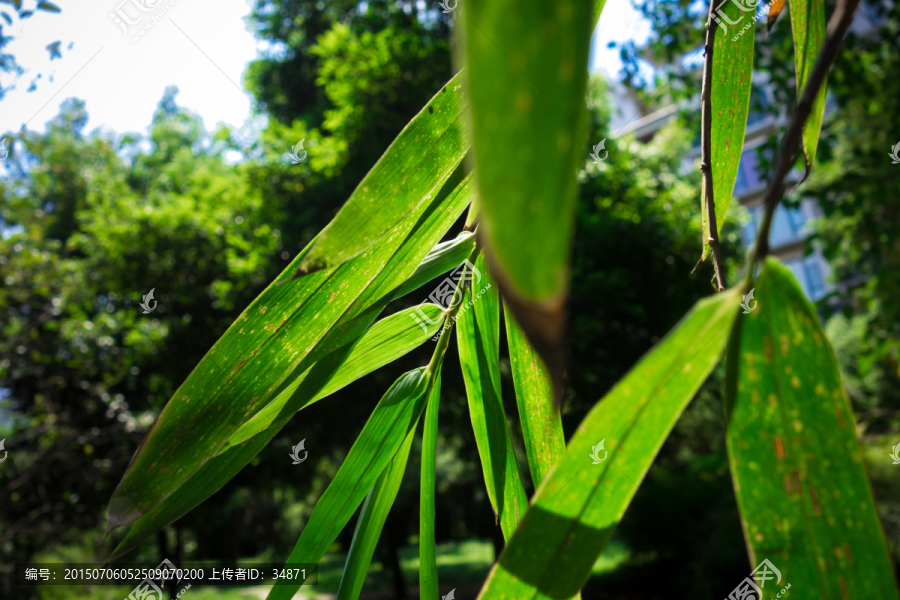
<point x="706" y="151"/>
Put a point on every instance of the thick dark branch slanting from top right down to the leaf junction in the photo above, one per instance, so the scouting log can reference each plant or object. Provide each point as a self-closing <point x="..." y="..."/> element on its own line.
<point x="787" y="155"/>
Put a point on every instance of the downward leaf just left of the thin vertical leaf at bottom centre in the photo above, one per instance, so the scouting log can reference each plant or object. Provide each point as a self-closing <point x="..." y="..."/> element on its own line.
<point x="373" y="515"/>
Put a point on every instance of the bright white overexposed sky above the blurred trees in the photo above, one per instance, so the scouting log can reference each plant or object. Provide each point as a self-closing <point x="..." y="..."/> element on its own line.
<point x="200" y="46"/>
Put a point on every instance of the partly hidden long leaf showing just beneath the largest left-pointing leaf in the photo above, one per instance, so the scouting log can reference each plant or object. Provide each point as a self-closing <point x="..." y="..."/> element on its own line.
<point x="429" y="228"/>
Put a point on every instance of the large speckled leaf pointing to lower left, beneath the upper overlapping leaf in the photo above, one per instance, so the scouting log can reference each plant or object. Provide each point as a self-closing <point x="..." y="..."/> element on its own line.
<point x="238" y="376"/>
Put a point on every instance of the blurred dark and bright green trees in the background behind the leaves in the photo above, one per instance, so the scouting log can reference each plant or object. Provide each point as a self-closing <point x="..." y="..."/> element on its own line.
<point x="92" y="220"/>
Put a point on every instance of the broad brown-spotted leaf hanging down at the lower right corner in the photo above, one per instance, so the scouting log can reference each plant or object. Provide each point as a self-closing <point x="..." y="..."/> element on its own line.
<point x="799" y="475"/>
